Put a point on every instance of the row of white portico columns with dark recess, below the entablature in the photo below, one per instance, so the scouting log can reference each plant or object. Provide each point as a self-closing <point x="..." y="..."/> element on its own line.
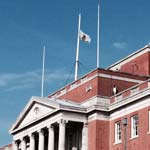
<point x="62" y="136"/>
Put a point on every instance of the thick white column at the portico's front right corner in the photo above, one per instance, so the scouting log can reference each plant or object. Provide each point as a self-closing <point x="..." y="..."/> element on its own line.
<point x="62" y="130"/>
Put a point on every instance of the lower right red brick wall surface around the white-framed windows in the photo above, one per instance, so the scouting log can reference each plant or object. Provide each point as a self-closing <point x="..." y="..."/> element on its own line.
<point x="138" y="143"/>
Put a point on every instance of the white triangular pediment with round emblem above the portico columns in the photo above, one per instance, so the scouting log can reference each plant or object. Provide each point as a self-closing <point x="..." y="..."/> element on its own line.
<point x="36" y="109"/>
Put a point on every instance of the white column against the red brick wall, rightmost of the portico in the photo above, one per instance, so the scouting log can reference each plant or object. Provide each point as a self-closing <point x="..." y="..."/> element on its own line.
<point x="85" y="136"/>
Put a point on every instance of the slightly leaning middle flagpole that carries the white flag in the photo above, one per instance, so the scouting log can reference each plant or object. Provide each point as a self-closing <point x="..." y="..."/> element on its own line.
<point x="77" y="51"/>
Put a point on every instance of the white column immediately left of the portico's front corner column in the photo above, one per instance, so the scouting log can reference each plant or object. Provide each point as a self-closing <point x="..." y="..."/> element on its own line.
<point x="50" y="137"/>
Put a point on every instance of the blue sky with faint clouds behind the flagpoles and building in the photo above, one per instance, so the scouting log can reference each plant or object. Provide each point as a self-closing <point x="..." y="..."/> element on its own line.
<point x="27" y="25"/>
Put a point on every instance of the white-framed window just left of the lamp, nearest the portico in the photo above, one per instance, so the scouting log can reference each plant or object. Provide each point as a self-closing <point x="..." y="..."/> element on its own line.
<point x="118" y="132"/>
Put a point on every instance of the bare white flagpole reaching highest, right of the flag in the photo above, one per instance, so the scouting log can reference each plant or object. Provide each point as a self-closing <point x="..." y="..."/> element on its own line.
<point x="98" y="33"/>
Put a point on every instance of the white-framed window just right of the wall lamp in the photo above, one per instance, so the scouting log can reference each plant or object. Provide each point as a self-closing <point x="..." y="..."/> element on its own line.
<point x="134" y="126"/>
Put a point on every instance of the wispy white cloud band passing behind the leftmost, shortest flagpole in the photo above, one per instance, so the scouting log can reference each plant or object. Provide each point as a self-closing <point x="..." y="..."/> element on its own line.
<point x="18" y="81"/>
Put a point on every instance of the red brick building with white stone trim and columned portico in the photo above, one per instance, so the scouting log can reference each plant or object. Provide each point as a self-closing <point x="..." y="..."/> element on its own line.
<point x="107" y="109"/>
